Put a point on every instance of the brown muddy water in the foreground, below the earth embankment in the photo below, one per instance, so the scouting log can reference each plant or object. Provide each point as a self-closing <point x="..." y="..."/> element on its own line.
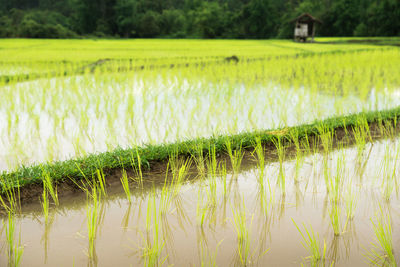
<point x="125" y="229"/>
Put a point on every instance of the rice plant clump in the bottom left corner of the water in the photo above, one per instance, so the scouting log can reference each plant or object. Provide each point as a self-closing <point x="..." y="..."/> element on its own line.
<point x="14" y="248"/>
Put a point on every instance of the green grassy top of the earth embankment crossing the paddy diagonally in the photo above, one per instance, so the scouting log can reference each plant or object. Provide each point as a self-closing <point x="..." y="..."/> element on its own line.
<point x="120" y="158"/>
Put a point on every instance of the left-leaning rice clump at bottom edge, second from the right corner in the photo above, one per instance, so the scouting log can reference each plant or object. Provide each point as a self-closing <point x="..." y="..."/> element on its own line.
<point x="312" y="243"/>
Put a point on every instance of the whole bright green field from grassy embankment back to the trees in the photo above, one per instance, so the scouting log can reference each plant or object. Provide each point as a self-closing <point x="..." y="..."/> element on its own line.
<point x="128" y="93"/>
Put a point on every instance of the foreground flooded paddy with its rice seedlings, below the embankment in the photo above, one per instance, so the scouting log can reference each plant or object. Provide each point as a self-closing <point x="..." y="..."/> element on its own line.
<point x="340" y="185"/>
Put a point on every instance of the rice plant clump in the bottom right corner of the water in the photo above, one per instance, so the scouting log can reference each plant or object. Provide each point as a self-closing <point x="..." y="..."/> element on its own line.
<point x="382" y="251"/>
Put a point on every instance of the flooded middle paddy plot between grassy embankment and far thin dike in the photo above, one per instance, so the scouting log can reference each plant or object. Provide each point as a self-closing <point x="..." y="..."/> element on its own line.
<point x="55" y="119"/>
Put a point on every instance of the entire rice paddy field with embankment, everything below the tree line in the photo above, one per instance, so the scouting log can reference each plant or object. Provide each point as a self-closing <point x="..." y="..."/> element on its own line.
<point x="200" y="152"/>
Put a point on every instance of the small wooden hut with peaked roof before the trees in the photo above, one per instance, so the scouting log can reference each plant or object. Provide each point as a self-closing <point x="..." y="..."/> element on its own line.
<point x="305" y="25"/>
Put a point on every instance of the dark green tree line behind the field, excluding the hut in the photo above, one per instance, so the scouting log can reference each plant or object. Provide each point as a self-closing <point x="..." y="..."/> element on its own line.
<point x="256" y="19"/>
